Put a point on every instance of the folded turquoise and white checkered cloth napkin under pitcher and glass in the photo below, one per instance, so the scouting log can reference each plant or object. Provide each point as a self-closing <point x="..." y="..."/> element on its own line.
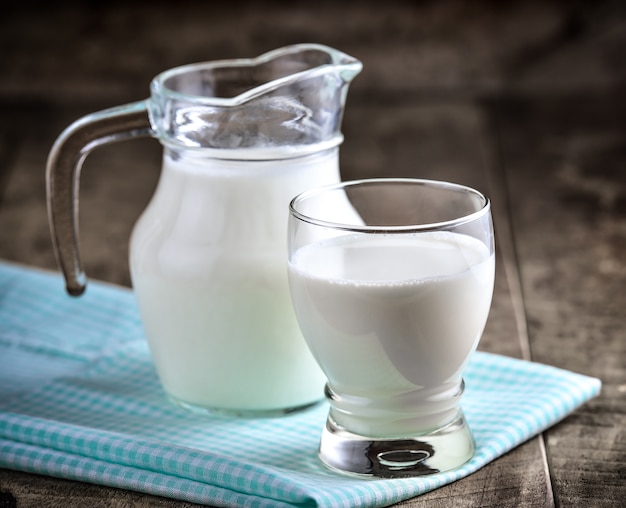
<point x="79" y="399"/>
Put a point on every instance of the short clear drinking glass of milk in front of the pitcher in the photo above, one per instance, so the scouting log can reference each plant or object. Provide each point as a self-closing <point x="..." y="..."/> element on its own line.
<point x="391" y="281"/>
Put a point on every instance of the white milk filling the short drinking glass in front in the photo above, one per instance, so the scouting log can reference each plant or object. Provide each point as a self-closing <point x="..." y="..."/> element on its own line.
<point x="393" y="319"/>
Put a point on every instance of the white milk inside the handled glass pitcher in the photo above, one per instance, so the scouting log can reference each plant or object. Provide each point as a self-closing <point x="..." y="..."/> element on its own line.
<point x="209" y="267"/>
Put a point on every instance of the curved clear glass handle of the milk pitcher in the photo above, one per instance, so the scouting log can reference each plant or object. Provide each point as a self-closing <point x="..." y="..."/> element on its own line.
<point x="63" y="171"/>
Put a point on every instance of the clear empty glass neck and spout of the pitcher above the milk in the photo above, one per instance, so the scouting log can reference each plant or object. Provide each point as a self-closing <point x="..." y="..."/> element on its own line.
<point x="291" y="99"/>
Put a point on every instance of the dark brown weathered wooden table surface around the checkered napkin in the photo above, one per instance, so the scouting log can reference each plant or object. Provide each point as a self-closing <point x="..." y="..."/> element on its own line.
<point x="522" y="100"/>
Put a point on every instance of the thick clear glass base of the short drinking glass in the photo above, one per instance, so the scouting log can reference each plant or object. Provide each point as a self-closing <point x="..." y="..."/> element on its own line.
<point x="442" y="450"/>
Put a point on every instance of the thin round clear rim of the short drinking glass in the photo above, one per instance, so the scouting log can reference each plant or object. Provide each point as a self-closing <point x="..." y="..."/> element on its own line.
<point x="410" y="228"/>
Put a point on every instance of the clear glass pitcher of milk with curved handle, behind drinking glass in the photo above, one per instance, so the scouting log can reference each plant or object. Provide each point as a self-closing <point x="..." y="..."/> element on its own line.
<point x="208" y="255"/>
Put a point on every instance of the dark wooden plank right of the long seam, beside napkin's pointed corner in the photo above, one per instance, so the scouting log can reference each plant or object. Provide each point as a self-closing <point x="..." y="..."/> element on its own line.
<point x="568" y="199"/>
